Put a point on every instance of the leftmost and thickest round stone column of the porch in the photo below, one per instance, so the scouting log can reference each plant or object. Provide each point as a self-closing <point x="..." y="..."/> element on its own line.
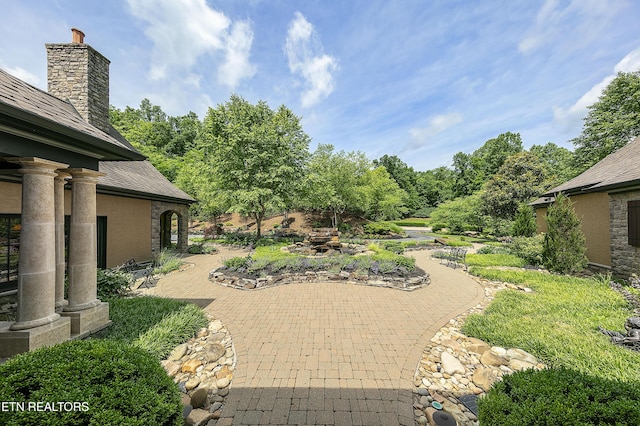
<point x="37" y="269"/>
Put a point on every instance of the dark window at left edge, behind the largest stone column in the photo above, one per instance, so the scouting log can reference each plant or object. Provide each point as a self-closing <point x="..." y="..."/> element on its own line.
<point x="9" y="250"/>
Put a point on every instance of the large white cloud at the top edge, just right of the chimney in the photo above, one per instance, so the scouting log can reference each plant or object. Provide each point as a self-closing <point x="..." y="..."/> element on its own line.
<point x="184" y="30"/>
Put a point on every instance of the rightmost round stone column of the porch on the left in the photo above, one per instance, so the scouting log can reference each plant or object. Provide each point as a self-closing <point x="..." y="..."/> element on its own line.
<point x="82" y="241"/>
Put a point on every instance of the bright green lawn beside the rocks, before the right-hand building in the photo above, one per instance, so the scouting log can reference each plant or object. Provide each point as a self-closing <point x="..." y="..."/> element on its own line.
<point x="558" y="322"/>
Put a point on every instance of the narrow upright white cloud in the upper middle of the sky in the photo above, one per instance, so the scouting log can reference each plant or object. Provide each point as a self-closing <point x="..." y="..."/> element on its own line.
<point x="305" y="54"/>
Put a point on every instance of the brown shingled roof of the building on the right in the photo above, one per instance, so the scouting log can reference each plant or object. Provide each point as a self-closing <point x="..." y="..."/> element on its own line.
<point x="617" y="170"/>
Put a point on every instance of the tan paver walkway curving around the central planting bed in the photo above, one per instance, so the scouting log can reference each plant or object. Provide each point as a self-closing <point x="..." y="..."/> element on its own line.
<point x="325" y="353"/>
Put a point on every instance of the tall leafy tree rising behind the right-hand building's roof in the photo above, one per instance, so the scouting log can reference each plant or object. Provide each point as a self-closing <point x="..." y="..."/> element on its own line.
<point x="612" y="122"/>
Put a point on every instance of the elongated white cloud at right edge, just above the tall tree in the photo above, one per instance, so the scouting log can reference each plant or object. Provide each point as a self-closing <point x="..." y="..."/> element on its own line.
<point x="569" y="117"/>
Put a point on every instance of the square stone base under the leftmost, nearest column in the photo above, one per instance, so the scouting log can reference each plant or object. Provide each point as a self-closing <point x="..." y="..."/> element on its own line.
<point x="13" y="342"/>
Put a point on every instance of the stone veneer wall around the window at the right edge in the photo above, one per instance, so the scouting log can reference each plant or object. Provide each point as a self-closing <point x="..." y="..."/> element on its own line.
<point x="625" y="259"/>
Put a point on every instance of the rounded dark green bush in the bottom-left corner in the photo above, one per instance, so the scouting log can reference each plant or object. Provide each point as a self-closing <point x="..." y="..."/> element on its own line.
<point x="115" y="384"/>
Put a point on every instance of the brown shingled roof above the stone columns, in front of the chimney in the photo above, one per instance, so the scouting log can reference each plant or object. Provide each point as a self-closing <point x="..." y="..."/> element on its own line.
<point x="24" y="102"/>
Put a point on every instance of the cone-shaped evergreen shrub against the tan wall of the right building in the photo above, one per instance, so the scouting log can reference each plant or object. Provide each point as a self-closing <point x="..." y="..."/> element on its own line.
<point x="564" y="245"/>
